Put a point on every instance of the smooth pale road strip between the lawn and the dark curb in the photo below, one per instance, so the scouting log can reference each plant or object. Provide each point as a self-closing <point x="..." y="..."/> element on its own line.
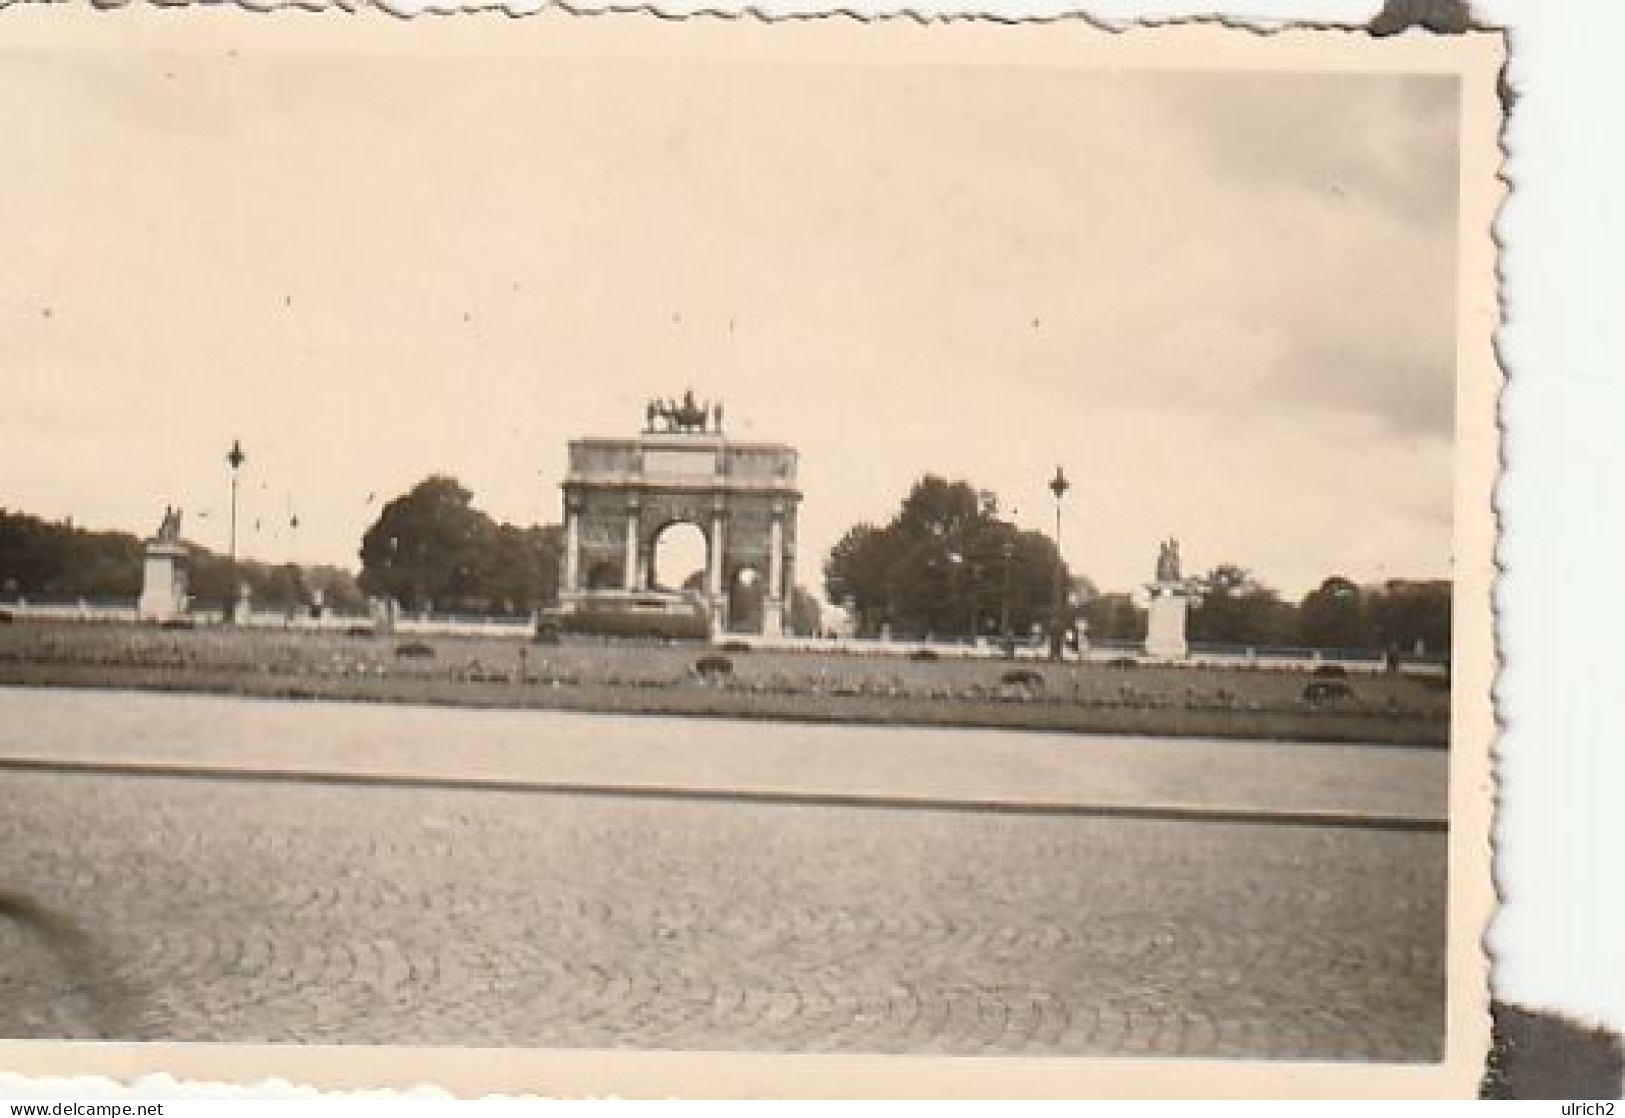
<point x="716" y="755"/>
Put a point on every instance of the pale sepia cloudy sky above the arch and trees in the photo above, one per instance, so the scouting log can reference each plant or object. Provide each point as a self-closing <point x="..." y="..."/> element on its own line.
<point x="1223" y="301"/>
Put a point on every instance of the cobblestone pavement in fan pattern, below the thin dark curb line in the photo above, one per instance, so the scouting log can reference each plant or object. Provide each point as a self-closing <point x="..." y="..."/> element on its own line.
<point x="223" y="911"/>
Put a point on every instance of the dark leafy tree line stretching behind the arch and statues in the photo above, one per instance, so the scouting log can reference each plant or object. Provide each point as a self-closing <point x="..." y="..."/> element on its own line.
<point x="947" y="565"/>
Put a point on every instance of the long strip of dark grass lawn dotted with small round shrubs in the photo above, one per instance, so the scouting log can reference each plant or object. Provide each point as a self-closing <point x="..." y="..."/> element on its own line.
<point x="638" y="678"/>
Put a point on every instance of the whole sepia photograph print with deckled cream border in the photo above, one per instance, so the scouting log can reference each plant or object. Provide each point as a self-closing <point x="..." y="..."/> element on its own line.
<point x="908" y="540"/>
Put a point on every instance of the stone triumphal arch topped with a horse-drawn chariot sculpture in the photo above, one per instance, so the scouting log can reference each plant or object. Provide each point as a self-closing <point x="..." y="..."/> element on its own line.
<point x="623" y="495"/>
